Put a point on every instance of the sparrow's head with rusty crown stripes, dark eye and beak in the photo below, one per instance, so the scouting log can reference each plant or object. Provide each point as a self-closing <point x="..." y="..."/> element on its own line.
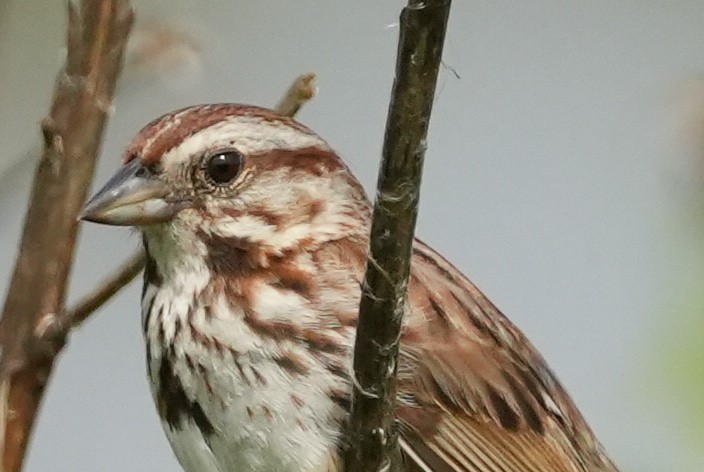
<point x="232" y="176"/>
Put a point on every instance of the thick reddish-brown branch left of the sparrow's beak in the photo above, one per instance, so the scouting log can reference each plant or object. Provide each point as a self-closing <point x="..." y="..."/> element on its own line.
<point x="97" y="33"/>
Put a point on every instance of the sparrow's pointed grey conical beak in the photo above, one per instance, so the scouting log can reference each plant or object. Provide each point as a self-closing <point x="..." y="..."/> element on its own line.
<point x="133" y="196"/>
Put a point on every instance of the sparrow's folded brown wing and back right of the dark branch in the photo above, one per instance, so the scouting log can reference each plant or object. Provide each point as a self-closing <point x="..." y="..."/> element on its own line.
<point x="474" y="394"/>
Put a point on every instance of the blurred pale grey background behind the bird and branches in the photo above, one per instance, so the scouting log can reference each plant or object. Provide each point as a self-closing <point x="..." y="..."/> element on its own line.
<point x="564" y="175"/>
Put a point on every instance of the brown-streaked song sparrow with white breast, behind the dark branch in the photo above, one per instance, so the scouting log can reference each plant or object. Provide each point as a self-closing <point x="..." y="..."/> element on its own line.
<point x="256" y="236"/>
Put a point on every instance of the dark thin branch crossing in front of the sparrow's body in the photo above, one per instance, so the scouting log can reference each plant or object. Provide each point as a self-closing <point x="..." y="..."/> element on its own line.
<point x="372" y="435"/>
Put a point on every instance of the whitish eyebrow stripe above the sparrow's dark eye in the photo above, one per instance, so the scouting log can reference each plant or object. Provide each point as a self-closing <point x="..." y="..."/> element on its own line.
<point x="247" y="134"/>
